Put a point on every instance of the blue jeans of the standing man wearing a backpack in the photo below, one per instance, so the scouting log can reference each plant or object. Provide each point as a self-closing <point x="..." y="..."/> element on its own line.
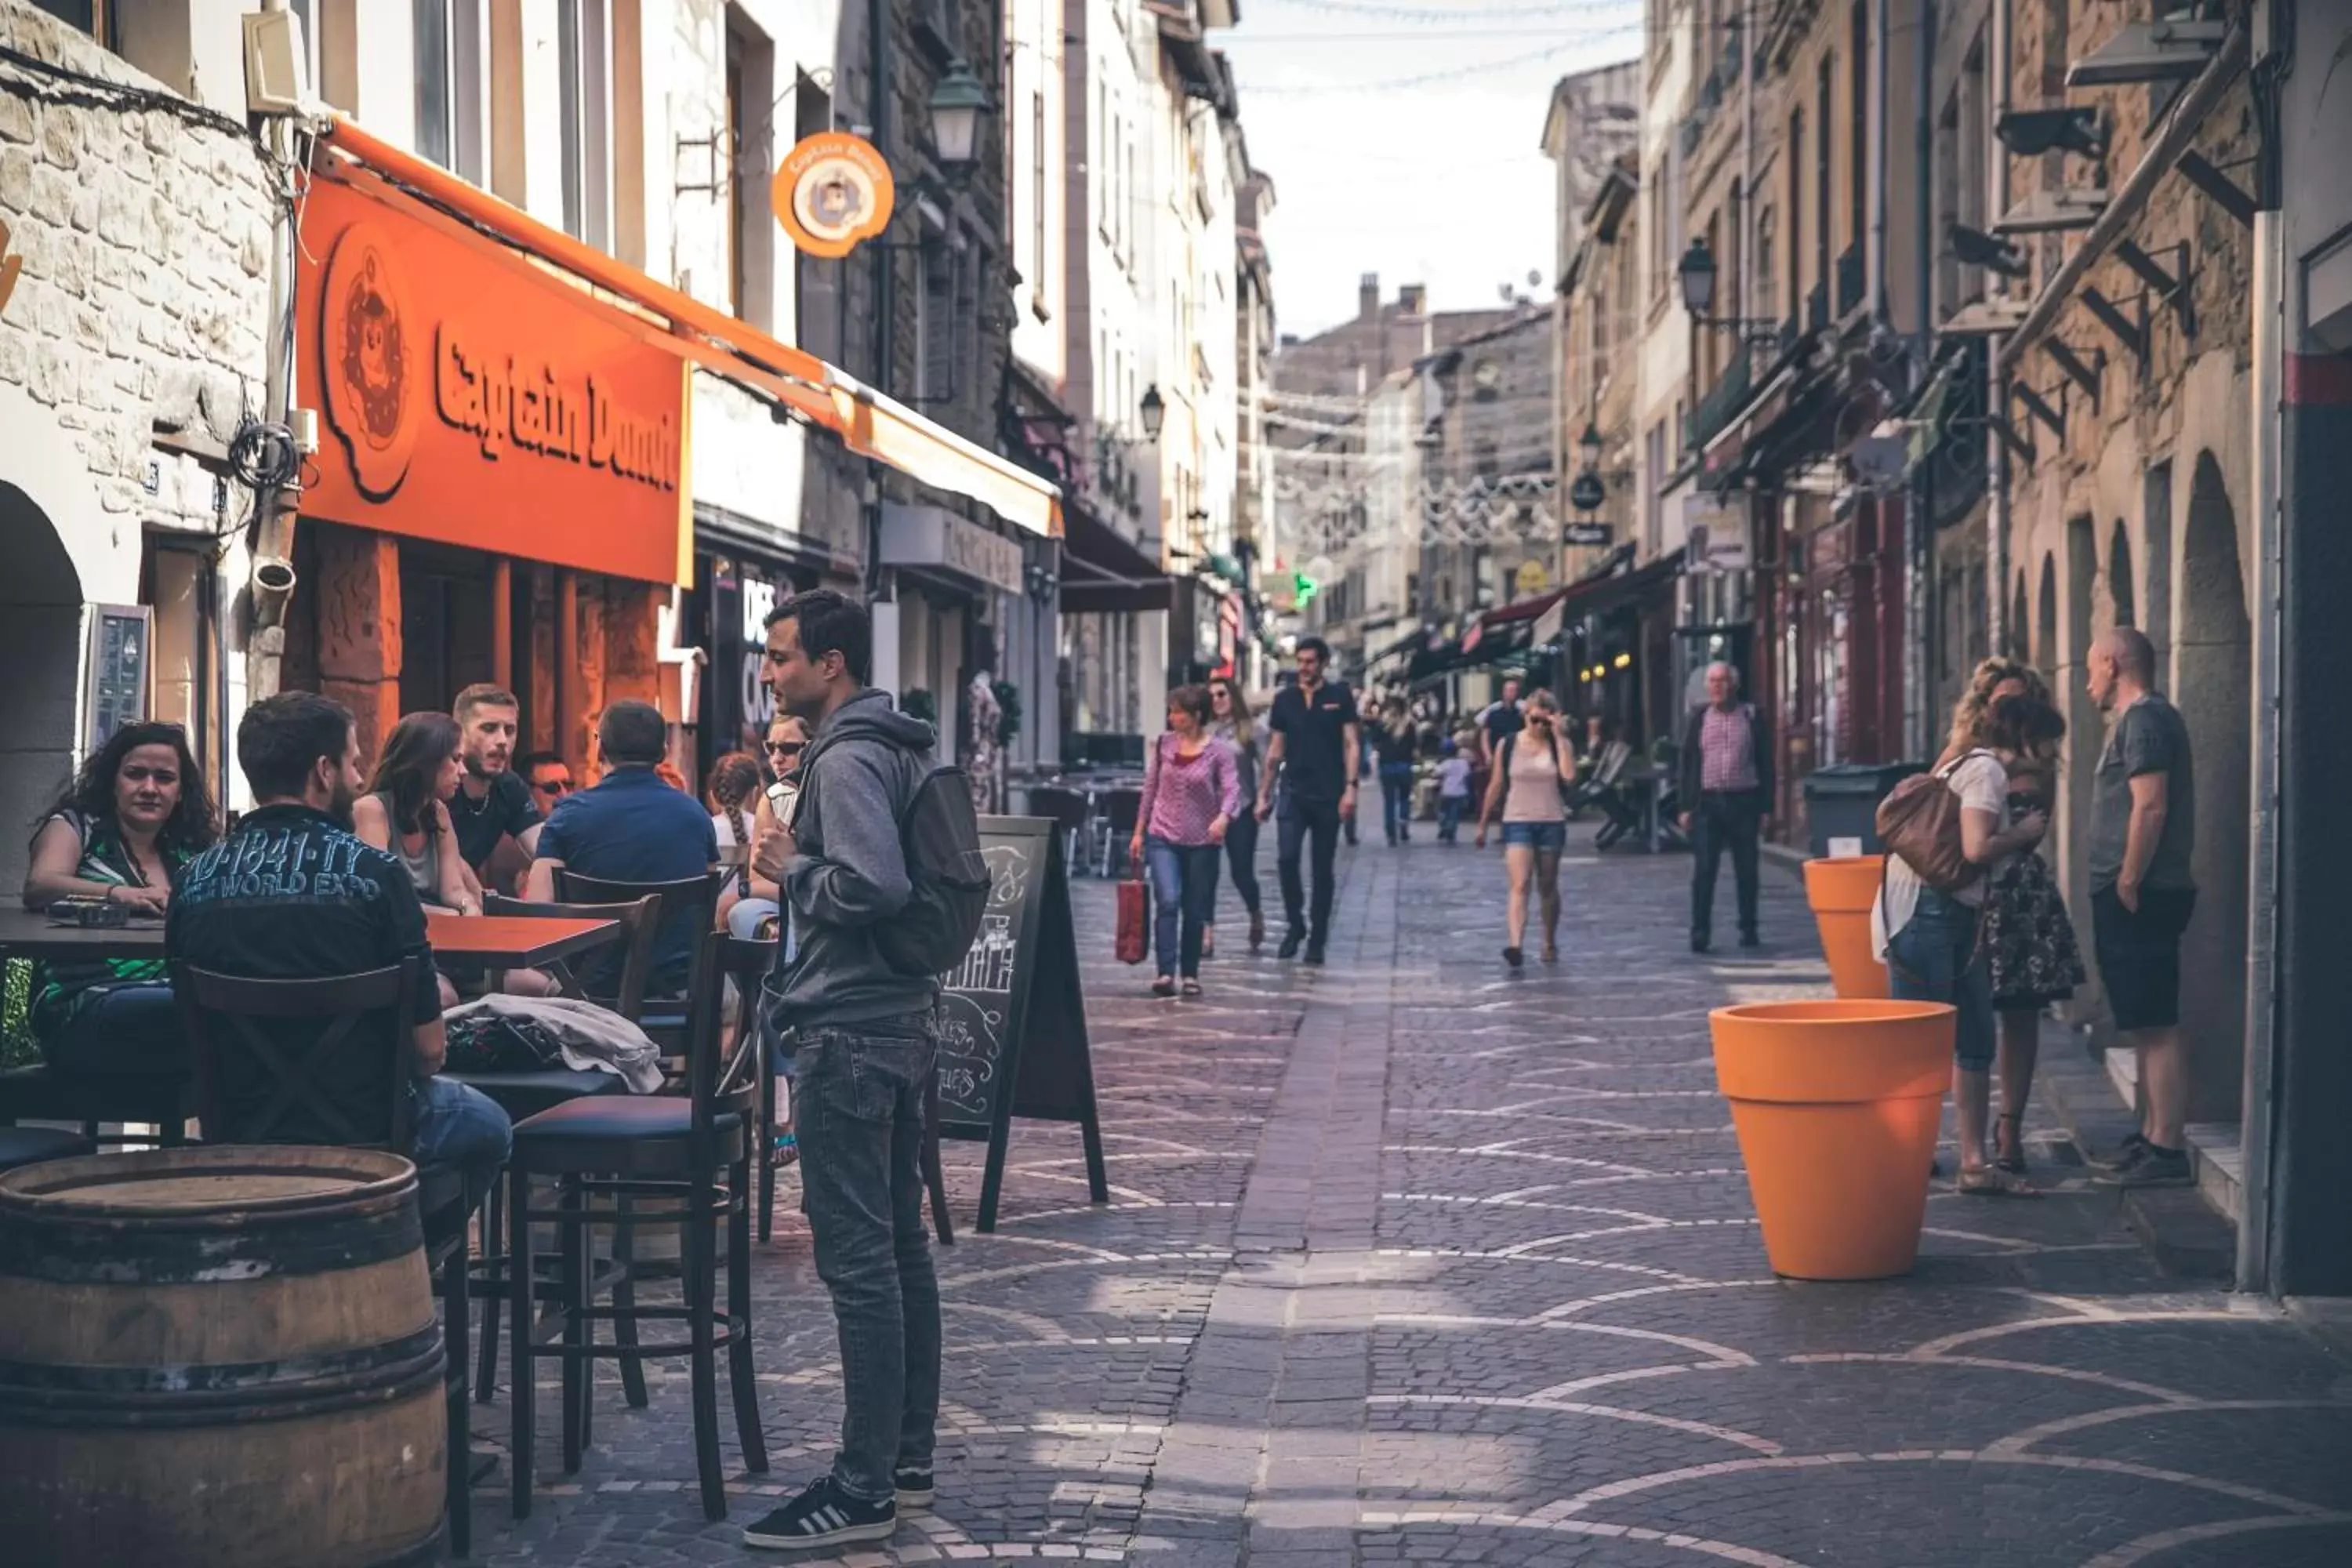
<point x="857" y="1108"/>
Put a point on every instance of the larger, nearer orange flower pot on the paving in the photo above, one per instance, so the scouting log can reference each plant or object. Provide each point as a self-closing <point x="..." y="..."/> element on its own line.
<point x="1836" y="1106"/>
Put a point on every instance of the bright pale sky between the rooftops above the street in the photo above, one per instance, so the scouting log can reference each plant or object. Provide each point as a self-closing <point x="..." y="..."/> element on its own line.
<point x="1403" y="140"/>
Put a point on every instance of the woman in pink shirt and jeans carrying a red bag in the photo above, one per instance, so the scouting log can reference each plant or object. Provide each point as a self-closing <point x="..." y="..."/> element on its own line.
<point x="1191" y="791"/>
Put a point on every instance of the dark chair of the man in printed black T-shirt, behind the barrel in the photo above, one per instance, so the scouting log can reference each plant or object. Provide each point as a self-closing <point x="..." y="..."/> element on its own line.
<point x="250" y="1085"/>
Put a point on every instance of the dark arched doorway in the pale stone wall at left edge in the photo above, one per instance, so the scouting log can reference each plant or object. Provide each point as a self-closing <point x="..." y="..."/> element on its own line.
<point x="41" y="648"/>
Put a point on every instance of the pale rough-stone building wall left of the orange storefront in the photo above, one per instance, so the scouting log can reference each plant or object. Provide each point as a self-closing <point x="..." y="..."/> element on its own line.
<point x="131" y="356"/>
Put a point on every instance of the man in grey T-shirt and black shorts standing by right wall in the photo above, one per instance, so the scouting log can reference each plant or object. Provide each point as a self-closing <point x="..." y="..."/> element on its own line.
<point x="2144" y="822"/>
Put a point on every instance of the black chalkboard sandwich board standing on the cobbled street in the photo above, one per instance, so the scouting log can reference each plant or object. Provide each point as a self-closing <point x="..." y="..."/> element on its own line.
<point x="1015" y="1014"/>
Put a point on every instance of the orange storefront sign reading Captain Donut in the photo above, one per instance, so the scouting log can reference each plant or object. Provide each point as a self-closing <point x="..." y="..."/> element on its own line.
<point x="476" y="401"/>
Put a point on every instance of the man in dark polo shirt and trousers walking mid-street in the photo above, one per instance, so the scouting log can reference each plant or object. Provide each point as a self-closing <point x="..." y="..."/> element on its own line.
<point x="1314" y="760"/>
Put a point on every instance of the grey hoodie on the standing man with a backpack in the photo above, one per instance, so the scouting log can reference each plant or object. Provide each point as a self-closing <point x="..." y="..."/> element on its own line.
<point x="850" y="869"/>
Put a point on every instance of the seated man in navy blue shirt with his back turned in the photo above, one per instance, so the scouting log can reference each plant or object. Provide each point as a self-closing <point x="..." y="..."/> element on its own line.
<point x="632" y="829"/>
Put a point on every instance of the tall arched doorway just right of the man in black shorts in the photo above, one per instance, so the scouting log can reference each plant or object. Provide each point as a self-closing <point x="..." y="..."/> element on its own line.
<point x="2214" y="692"/>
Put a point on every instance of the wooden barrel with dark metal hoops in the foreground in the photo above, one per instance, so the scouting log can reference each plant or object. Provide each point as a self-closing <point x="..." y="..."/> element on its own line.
<point x="218" y="1358"/>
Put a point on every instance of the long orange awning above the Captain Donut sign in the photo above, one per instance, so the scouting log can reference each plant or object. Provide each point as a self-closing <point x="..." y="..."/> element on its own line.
<point x="827" y="396"/>
